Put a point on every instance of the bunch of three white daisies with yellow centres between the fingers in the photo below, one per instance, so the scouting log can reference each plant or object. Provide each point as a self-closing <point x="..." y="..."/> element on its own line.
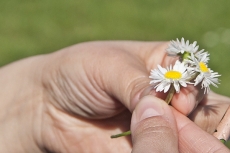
<point x="190" y="68"/>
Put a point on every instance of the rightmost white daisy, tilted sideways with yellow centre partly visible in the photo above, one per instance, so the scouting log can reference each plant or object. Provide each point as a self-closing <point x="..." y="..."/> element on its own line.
<point x="206" y="75"/>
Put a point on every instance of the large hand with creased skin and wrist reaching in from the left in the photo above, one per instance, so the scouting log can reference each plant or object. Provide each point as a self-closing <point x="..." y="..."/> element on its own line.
<point x="77" y="97"/>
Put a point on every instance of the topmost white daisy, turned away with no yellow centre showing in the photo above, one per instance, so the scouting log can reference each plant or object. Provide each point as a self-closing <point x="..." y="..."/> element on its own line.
<point x="177" y="47"/>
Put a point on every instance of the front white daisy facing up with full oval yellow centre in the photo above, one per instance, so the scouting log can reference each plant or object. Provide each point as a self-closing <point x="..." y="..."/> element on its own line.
<point x="163" y="78"/>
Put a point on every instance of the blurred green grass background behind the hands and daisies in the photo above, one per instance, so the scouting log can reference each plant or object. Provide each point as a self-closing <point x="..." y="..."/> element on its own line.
<point x="41" y="26"/>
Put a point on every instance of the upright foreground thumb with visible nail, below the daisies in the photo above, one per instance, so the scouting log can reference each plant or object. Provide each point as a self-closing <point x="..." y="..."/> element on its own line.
<point x="153" y="127"/>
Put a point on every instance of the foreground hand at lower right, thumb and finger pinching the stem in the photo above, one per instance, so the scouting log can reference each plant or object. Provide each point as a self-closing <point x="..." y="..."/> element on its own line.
<point x="158" y="128"/>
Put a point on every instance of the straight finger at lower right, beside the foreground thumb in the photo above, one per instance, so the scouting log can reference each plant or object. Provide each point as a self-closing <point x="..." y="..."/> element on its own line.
<point x="194" y="139"/>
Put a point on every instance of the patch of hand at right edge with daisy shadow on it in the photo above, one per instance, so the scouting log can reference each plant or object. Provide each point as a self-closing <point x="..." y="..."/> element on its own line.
<point x="210" y="112"/>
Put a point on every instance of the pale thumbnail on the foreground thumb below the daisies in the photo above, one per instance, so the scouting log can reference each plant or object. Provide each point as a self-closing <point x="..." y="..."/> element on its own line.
<point x="149" y="106"/>
